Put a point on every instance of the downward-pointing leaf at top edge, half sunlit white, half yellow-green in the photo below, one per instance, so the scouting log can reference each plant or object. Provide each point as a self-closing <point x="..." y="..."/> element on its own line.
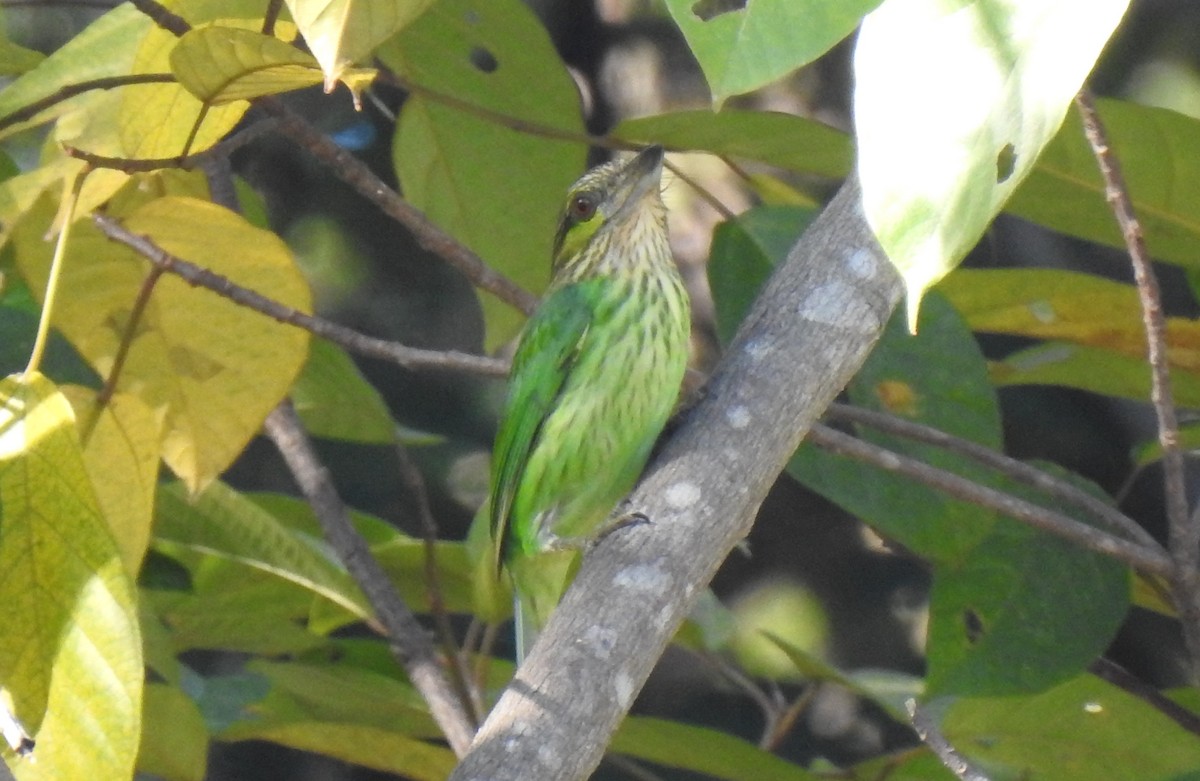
<point x="341" y="33"/>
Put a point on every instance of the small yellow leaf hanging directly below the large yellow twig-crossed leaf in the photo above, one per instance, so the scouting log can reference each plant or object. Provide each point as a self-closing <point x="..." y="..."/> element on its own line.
<point x="121" y="452"/>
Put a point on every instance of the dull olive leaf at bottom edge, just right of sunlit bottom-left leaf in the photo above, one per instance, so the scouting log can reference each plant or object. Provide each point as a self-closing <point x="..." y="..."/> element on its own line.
<point x="177" y="748"/>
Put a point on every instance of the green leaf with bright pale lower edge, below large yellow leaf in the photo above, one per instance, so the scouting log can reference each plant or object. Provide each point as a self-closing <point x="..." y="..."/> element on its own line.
<point x="223" y="522"/>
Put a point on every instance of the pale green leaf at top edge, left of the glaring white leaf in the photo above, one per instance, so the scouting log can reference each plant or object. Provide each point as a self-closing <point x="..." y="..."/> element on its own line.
<point x="743" y="46"/>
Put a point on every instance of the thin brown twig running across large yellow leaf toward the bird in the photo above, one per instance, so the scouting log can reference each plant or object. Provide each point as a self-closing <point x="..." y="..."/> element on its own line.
<point x="359" y="344"/>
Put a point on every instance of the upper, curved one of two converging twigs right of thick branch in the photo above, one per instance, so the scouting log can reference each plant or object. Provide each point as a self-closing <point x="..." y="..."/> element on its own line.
<point x="1011" y="467"/>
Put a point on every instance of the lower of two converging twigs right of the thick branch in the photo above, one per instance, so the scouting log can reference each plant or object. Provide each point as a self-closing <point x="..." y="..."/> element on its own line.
<point x="1066" y="527"/>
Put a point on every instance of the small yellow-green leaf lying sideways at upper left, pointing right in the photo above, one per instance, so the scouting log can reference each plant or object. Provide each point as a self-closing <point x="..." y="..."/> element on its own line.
<point x="220" y="65"/>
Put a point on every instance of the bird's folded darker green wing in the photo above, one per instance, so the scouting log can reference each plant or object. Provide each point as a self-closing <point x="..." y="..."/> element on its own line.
<point x="545" y="358"/>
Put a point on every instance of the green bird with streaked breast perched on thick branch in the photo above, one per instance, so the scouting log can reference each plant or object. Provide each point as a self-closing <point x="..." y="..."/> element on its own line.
<point x="596" y="376"/>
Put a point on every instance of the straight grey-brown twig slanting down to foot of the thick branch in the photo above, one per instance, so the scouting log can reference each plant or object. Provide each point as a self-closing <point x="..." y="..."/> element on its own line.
<point x="407" y="639"/>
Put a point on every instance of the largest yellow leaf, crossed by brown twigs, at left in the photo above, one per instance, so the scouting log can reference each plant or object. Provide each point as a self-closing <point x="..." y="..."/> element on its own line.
<point x="218" y="369"/>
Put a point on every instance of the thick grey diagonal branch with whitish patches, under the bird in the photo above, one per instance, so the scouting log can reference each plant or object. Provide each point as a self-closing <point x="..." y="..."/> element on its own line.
<point x="805" y="339"/>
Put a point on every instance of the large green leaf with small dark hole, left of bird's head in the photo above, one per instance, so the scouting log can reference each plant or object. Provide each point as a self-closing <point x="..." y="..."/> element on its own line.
<point x="463" y="161"/>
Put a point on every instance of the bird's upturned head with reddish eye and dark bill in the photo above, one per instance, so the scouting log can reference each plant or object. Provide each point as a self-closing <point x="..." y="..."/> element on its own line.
<point x="607" y="199"/>
